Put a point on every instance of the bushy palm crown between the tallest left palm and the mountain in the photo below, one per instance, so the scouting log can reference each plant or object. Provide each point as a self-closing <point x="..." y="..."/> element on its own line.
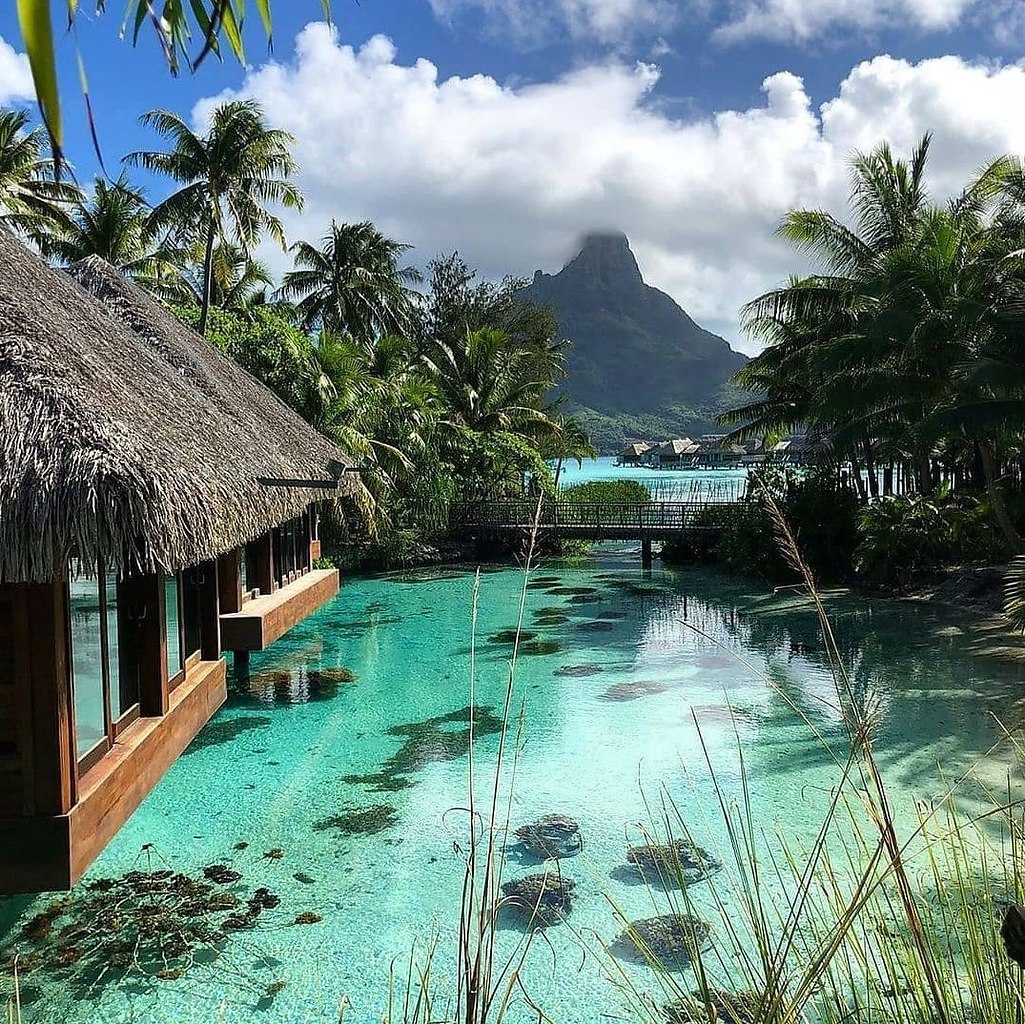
<point x="353" y="283"/>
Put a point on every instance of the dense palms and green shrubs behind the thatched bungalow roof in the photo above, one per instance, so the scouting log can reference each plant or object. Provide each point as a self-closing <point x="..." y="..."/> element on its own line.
<point x="438" y="395"/>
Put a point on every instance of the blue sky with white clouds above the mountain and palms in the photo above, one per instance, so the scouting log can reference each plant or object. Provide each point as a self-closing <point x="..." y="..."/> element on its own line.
<point x="508" y="129"/>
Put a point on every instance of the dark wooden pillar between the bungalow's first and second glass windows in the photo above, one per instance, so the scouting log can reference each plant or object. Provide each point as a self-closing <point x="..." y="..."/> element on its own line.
<point x="142" y="601"/>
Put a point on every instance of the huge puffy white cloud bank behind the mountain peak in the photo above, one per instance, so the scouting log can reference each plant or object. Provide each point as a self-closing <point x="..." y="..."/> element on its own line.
<point x="512" y="177"/>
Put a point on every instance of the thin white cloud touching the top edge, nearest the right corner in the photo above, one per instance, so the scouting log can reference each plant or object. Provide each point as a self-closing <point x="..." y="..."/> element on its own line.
<point x="800" y="21"/>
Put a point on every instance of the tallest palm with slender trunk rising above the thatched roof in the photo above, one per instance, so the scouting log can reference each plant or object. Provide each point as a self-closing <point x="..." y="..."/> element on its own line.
<point x="228" y="178"/>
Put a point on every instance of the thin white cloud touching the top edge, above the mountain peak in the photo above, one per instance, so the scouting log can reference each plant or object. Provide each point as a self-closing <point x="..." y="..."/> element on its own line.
<point x="535" y="21"/>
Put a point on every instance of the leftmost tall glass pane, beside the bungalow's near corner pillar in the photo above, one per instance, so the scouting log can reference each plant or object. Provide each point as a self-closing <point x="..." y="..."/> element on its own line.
<point x="88" y="663"/>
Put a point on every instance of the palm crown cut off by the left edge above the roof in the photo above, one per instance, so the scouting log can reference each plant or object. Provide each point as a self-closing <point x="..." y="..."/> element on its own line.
<point x="32" y="201"/>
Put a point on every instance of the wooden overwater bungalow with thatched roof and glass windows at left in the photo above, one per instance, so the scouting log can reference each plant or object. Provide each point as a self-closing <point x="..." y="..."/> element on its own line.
<point x="158" y="507"/>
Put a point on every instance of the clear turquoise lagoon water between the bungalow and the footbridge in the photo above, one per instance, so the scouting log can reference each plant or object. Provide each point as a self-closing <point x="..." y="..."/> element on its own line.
<point x="277" y="764"/>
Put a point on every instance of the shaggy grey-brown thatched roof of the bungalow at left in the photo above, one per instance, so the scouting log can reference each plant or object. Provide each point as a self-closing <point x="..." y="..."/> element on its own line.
<point x="128" y="436"/>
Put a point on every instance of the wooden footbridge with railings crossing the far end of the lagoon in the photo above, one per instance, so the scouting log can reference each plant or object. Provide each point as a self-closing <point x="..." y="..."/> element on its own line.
<point x="591" y="521"/>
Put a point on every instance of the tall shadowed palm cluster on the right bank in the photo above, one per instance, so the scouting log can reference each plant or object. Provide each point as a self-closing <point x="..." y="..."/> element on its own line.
<point x="903" y="353"/>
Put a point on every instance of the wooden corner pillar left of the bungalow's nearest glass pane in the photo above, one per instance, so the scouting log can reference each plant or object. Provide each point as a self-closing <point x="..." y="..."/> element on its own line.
<point x="45" y="620"/>
